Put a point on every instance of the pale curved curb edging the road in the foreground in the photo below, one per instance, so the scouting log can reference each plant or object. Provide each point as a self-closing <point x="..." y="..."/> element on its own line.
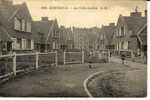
<point x="86" y="81"/>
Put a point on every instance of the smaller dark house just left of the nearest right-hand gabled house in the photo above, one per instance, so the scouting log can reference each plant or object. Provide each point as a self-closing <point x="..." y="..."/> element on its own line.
<point x="106" y="37"/>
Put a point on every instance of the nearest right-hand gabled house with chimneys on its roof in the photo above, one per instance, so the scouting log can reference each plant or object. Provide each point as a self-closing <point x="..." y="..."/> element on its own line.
<point x="126" y="36"/>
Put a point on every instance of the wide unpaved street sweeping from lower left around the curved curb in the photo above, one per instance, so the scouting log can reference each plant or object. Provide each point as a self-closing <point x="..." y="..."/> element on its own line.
<point x="64" y="81"/>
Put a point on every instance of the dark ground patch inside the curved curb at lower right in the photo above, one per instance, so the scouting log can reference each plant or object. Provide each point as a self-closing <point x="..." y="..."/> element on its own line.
<point x="132" y="83"/>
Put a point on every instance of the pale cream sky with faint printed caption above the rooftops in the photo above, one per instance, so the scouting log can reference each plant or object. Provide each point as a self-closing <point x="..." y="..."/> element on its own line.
<point x="83" y="13"/>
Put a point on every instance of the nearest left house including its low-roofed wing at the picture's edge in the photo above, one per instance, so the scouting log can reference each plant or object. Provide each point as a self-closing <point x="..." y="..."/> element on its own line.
<point x="15" y="24"/>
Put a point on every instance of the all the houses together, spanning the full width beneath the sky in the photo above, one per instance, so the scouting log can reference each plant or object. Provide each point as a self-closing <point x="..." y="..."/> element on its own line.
<point x="19" y="33"/>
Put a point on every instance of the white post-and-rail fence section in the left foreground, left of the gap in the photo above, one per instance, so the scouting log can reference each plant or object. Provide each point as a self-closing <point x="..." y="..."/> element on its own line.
<point x="15" y="59"/>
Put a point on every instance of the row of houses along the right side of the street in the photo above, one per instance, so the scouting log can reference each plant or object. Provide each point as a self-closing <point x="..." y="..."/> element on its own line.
<point x="129" y="34"/>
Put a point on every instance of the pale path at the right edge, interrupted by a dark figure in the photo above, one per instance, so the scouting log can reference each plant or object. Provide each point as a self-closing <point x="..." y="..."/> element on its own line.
<point x="129" y="63"/>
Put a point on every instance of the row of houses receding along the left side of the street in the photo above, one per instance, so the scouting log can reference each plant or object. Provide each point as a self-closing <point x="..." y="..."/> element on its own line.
<point x="19" y="33"/>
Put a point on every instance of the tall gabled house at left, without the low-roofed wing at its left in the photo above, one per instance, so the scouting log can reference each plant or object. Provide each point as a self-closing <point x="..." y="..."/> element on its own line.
<point x="19" y="25"/>
